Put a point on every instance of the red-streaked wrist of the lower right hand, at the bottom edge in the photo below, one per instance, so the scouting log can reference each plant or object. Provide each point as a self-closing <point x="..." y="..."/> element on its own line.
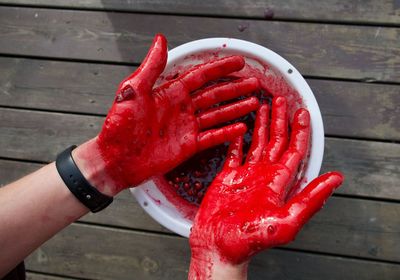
<point x="209" y="265"/>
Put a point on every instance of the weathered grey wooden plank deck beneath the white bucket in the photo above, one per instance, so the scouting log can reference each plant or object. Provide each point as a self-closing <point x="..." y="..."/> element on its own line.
<point x="60" y="63"/>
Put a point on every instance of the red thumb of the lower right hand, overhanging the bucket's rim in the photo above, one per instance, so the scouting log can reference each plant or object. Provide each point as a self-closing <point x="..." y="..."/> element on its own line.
<point x="304" y="205"/>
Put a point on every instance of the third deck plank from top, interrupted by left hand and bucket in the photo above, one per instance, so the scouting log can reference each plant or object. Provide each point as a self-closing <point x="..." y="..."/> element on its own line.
<point x="349" y="109"/>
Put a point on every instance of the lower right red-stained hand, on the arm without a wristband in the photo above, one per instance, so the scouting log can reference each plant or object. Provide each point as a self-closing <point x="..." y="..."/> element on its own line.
<point x="246" y="208"/>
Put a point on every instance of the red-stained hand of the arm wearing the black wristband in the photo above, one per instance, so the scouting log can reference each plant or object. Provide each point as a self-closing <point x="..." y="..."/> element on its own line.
<point x="150" y="131"/>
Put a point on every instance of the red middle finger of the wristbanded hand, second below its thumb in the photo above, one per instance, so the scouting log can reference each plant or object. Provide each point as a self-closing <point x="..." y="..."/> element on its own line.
<point x="223" y="92"/>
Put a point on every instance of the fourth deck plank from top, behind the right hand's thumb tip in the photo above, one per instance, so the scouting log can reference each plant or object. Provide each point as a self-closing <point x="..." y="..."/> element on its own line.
<point x="372" y="169"/>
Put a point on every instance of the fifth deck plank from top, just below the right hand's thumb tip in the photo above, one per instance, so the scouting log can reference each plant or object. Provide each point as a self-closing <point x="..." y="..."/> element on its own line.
<point x="351" y="227"/>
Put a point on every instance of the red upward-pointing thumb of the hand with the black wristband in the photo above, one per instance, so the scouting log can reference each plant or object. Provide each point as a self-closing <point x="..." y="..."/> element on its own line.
<point x="153" y="65"/>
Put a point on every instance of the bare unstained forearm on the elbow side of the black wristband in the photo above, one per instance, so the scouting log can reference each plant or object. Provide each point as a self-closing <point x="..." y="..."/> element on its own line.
<point x="33" y="209"/>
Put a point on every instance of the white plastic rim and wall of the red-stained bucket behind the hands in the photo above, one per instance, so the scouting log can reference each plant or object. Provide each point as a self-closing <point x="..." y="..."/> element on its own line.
<point x="165" y="207"/>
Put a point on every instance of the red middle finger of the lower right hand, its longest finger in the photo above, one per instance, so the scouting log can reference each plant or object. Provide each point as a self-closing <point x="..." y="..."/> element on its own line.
<point x="279" y="131"/>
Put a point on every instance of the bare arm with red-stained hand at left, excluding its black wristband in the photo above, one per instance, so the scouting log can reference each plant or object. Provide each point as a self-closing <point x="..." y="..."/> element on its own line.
<point x="148" y="131"/>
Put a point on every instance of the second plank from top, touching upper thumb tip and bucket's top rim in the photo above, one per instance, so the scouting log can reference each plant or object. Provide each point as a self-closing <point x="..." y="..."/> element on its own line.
<point x="350" y="52"/>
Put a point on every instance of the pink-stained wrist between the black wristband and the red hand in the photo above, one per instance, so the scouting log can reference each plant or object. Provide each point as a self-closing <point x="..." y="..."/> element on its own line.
<point x="91" y="164"/>
